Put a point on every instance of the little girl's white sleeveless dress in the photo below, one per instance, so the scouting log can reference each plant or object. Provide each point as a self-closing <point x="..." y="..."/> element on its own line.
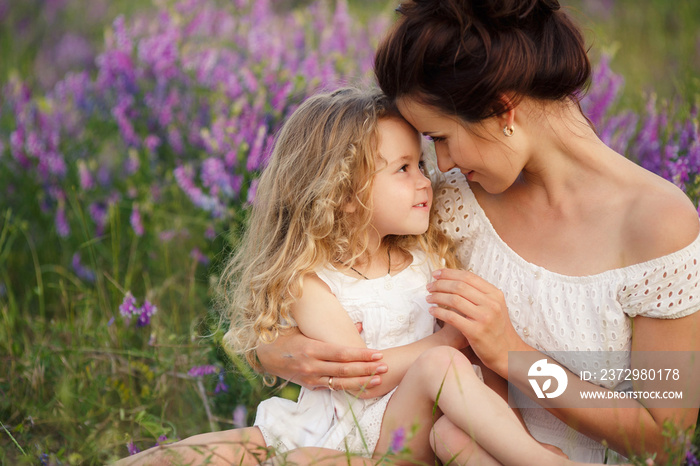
<point x="393" y="312"/>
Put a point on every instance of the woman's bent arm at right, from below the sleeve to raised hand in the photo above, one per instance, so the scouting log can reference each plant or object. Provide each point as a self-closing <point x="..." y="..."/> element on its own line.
<point x="629" y="427"/>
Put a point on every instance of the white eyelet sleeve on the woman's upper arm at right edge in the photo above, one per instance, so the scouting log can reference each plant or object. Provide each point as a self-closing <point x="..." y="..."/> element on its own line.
<point x="664" y="288"/>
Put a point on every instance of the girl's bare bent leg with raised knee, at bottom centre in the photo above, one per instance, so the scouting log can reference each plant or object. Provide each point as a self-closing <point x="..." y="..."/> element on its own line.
<point x="444" y="376"/>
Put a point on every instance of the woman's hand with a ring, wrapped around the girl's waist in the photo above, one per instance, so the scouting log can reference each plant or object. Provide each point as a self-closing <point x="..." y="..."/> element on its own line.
<point x="311" y="363"/>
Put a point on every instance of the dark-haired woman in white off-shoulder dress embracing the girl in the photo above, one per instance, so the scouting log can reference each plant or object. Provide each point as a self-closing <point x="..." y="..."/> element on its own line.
<point x="590" y="252"/>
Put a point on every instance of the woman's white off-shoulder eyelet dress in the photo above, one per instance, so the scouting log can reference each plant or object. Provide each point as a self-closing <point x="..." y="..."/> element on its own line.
<point x="553" y="312"/>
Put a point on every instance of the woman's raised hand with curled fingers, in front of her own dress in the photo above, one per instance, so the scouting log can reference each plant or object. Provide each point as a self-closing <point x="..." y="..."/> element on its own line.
<point x="478" y="310"/>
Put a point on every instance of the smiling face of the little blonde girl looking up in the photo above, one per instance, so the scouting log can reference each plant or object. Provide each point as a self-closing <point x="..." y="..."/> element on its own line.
<point x="401" y="193"/>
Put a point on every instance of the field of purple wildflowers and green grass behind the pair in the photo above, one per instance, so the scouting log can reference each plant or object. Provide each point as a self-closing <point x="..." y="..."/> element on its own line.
<point x="128" y="155"/>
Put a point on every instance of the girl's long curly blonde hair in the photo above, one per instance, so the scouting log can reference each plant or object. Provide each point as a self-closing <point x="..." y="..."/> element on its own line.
<point x="324" y="158"/>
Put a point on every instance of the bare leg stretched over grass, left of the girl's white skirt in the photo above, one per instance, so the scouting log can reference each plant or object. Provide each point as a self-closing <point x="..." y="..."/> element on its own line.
<point x="238" y="446"/>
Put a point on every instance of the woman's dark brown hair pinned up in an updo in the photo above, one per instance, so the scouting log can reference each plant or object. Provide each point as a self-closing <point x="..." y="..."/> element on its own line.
<point x="461" y="56"/>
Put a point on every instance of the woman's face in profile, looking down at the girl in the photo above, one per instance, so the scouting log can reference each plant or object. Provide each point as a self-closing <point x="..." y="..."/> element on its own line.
<point x="483" y="158"/>
